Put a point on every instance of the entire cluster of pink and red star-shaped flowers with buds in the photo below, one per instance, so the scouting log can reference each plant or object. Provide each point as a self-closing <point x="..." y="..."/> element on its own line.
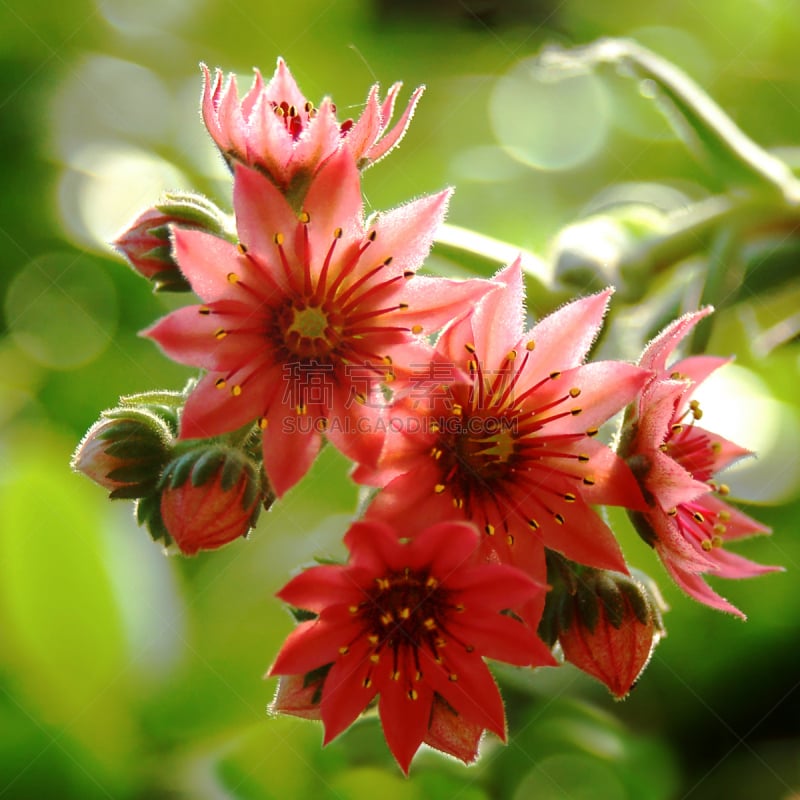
<point x="480" y="443"/>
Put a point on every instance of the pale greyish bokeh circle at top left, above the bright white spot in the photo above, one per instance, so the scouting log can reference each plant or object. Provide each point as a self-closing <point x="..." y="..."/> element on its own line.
<point x="107" y="98"/>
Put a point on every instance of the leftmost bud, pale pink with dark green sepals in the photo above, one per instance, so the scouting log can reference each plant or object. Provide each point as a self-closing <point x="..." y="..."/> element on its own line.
<point x="124" y="451"/>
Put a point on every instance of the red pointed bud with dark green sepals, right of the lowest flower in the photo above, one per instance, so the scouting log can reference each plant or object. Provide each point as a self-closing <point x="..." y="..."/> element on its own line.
<point x="609" y="628"/>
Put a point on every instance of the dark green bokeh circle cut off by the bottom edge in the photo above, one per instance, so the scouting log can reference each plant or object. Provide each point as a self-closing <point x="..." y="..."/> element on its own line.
<point x="575" y="777"/>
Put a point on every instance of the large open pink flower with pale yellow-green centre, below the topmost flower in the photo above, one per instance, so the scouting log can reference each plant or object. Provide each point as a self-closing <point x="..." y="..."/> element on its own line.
<point x="303" y="320"/>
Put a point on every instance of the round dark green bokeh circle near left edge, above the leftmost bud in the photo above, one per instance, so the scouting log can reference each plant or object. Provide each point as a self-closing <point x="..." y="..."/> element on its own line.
<point x="62" y="310"/>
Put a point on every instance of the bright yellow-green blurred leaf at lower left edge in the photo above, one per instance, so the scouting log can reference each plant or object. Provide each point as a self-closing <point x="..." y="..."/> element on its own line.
<point x="62" y="631"/>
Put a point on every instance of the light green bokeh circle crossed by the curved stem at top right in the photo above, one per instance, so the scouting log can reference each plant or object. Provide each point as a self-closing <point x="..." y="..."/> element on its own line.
<point x="634" y="111"/>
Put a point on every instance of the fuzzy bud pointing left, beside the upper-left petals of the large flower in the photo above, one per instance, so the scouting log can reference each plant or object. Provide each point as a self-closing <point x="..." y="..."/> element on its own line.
<point x="146" y="243"/>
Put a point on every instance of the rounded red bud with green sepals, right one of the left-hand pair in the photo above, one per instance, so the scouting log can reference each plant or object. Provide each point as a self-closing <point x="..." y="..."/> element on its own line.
<point x="209" y="497"/>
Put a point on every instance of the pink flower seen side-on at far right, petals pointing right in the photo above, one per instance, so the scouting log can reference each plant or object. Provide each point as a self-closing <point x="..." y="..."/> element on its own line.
<point x="687" y="520"/>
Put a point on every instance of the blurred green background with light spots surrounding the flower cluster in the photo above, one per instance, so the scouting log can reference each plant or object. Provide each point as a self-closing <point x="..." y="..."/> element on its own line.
<point x="126" y="674"/>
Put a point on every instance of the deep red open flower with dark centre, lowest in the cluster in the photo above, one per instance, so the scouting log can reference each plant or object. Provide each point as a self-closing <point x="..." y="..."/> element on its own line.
<point x="409" y="621"/>
